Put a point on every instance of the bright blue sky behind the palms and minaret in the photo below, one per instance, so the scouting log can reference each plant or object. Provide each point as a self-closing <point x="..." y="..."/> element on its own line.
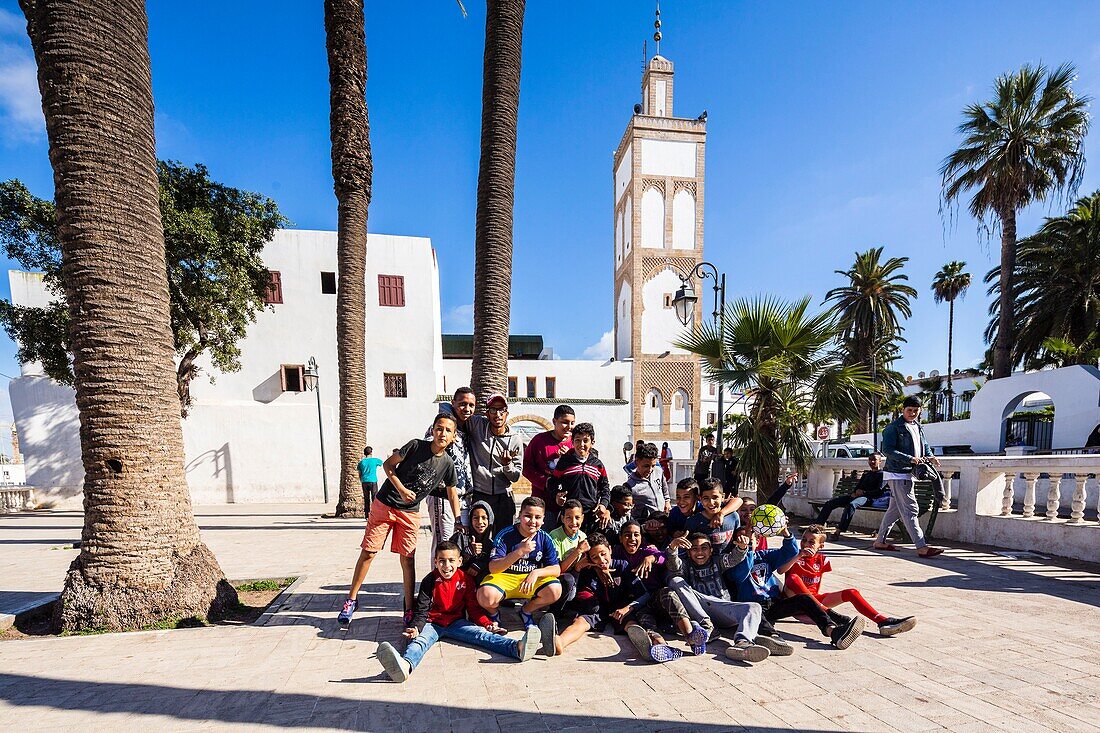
<point x="828" y="124"/>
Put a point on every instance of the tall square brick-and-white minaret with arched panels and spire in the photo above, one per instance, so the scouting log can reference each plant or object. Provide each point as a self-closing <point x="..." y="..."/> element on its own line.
<point x="659" y="173"/>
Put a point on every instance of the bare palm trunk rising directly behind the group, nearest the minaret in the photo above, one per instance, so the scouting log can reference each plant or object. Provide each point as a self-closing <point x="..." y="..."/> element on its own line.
<point x="497" y="179"/>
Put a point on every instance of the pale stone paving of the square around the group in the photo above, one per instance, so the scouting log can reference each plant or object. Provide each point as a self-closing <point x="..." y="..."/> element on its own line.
<point x="1002" y="646"/>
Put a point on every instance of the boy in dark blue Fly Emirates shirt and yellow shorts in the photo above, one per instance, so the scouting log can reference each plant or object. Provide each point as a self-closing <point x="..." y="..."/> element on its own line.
<point x="524" y="566"/>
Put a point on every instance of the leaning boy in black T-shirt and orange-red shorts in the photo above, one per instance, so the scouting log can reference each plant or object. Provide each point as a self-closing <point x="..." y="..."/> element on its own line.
<point x="412" y="474"/>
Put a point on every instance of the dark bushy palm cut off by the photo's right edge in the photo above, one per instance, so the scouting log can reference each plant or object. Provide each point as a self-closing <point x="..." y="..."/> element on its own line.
<point x="1057" y="285"/>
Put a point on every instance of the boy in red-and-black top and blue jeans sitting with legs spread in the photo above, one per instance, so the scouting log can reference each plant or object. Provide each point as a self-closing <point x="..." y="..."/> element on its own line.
<point x="447" y="608"/>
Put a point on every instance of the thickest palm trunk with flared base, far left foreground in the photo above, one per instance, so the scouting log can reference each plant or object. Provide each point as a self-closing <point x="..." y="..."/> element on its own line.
<point x="141" y="560"/>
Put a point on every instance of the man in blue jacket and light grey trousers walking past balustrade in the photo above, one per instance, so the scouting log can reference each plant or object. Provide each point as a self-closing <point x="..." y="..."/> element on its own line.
<point x="905" y="447"/>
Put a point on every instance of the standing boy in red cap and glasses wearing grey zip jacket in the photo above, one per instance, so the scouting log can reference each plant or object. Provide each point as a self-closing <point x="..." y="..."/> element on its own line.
<point x="496" y="460"/>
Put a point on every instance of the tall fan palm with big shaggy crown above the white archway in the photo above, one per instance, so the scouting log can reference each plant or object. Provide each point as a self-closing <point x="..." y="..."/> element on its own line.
<point x="1021" y="147"/>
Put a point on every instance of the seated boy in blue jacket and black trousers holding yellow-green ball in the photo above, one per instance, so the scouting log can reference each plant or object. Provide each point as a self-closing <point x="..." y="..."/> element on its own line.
<point x="755" y="579"/>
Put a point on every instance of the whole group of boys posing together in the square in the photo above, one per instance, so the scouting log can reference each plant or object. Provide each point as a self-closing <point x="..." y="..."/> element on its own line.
<point x="584" y="556"/>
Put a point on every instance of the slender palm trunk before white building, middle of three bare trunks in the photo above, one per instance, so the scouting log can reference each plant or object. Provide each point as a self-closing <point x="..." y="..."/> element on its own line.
<point x="353" y="169"/>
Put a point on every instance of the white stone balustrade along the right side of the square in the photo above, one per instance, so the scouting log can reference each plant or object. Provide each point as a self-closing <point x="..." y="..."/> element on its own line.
<point x="1041" y="504"/>
